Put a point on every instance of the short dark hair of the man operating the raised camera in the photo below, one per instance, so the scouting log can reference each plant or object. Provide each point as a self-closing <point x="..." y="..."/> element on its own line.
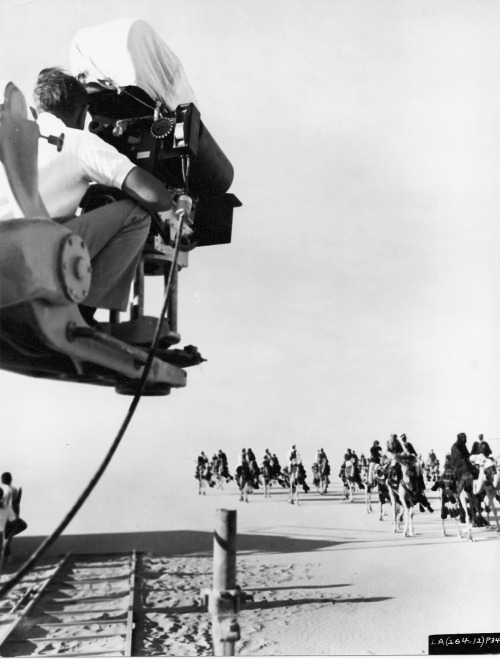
<point x="59" y="93"/>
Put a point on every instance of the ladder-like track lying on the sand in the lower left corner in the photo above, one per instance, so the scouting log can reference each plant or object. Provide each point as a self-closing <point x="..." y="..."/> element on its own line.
<point x="82" y="606"/>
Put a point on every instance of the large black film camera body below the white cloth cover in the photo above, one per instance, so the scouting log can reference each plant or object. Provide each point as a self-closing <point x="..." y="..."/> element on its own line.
<point x="176" y="147"/>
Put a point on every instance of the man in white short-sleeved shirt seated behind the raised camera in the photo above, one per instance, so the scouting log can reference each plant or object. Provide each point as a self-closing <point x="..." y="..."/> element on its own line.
<point x="115" y="233"/>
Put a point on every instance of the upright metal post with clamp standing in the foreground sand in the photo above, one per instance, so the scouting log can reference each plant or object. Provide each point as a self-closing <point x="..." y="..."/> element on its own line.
<point x="224" y="599"/>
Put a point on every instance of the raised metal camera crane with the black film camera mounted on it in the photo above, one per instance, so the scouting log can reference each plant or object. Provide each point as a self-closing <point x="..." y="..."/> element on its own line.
<point x="46" y="270"/>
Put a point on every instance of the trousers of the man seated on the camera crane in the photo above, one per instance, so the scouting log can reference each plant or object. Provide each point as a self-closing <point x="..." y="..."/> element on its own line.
<point x="114" y="235"/>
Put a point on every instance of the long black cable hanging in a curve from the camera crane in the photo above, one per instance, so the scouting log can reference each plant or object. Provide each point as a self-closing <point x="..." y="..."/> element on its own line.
<point x="26" y="567"/>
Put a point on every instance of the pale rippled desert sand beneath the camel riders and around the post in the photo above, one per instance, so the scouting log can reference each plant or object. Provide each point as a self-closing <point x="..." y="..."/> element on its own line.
<point x="326" y="577"/>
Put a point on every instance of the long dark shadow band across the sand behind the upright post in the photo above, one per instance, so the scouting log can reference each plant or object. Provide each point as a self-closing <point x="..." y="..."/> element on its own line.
<point x="166" y="543"/>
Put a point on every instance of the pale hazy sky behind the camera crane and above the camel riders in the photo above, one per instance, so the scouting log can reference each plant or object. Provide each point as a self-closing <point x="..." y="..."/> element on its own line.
<point x="358" y="297"/>
